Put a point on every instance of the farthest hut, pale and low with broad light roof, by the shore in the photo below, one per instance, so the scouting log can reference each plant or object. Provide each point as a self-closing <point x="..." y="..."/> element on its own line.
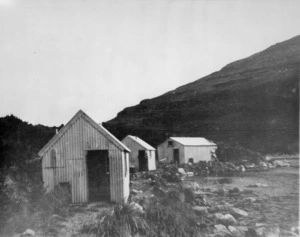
<point x="186" y="149"/>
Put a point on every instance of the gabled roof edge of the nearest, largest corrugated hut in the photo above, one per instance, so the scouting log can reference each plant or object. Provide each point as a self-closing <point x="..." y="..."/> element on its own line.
<point x="98" y="127"/>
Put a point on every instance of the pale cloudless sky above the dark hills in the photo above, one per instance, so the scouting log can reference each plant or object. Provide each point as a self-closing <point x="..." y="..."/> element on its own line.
<point x="59" y="56"/>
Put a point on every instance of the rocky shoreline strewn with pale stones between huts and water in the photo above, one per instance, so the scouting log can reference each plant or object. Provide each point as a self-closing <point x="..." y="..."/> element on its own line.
<point x="215" y="219"/>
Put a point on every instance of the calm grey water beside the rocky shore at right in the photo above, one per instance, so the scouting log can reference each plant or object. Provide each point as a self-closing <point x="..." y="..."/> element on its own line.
<point x="278" y="203"/>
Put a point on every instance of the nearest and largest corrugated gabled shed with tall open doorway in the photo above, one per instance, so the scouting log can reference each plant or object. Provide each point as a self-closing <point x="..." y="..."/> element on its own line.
<point x="88" y="159"/>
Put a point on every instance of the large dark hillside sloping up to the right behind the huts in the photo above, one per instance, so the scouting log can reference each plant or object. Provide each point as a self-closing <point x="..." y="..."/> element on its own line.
<point x="253" y="102"/>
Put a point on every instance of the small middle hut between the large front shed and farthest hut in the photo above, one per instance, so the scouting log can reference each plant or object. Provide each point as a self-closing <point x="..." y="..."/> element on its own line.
<point x="142" y="155"/>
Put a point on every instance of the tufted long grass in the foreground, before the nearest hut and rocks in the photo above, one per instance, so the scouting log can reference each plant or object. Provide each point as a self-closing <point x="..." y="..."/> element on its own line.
<point x="164" y="217"/>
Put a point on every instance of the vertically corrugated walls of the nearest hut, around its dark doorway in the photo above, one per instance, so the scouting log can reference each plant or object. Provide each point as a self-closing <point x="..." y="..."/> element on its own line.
<point x="71" y="149"/>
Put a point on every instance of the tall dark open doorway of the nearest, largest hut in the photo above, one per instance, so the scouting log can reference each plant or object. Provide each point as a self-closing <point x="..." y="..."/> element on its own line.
<point x="98" y="175"/>
